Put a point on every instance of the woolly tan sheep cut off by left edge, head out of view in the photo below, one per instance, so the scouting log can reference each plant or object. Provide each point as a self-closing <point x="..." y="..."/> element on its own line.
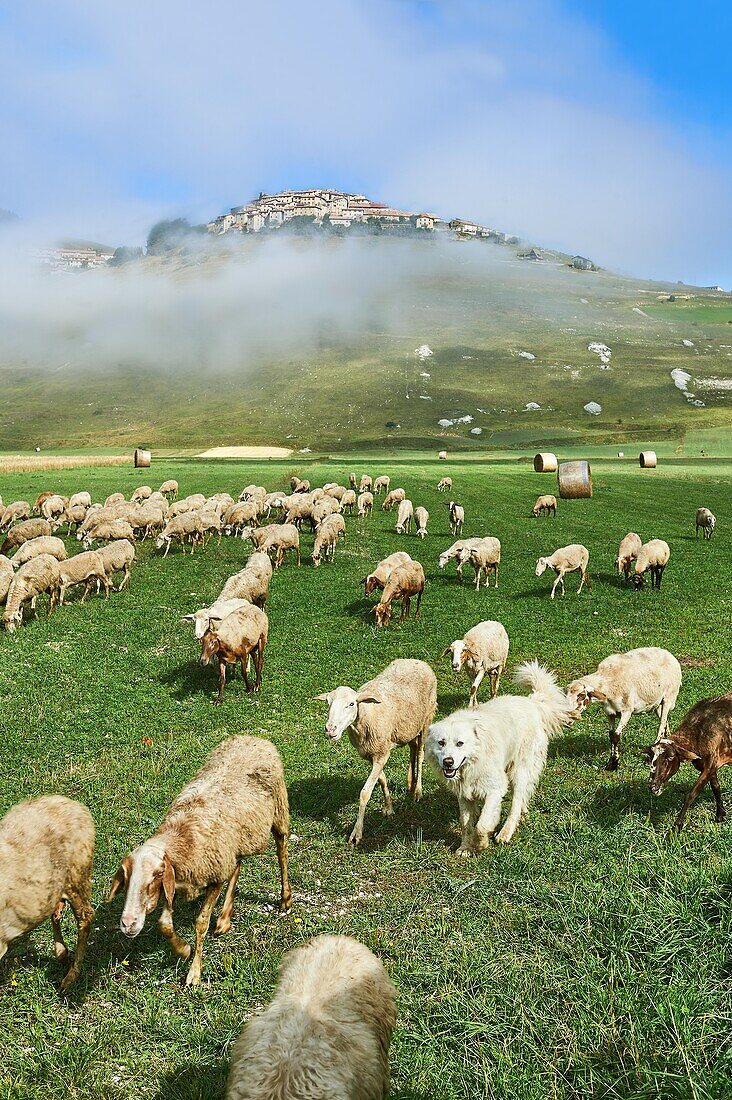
<point x="47" y="852"/>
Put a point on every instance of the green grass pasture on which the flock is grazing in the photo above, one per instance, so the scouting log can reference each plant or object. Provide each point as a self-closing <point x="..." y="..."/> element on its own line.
<point x="591" y="958"/>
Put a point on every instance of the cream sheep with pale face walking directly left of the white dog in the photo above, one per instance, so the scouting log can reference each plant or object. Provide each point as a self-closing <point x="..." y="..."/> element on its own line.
<point x="397" y="708"/>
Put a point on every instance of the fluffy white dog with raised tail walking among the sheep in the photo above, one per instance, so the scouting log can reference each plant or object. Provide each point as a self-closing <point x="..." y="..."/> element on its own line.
<point x="479" y="753"/>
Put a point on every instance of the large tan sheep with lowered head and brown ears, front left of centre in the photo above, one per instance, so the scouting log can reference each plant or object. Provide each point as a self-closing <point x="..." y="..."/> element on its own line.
<point x="224" y="815"/>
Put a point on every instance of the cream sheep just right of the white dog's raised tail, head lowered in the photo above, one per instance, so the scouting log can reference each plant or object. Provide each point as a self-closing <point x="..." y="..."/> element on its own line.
<point x="641" y="680"/>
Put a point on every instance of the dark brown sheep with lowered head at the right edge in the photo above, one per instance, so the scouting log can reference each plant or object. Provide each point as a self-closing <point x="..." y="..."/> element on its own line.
<point x="705" y="740"/>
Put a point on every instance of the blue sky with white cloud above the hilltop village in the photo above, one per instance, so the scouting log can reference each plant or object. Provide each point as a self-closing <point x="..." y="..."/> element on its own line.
<point x="599" y="128"/>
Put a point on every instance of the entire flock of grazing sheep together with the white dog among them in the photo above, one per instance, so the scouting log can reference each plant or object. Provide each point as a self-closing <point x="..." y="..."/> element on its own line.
<point x="330" y="1026"/>
